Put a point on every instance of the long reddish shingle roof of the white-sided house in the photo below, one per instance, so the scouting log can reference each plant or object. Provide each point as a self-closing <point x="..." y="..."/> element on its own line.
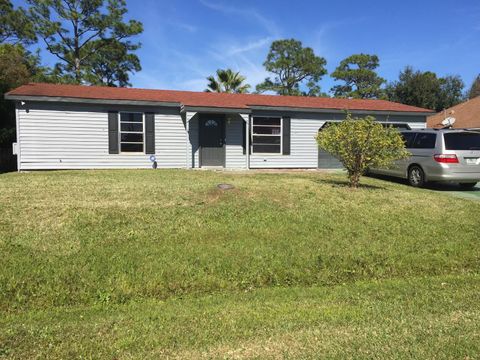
<point x="204" y="99"/>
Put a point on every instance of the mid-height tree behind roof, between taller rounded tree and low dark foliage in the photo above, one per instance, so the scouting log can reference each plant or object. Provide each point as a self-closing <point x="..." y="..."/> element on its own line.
<point x="359" y="77"/>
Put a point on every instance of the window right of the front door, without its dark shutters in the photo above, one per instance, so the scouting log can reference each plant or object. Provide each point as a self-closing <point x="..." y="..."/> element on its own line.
<point x="267" y="135"/>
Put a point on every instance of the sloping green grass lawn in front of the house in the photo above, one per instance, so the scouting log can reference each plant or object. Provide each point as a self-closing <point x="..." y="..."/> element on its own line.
<point x="149" y="264"/>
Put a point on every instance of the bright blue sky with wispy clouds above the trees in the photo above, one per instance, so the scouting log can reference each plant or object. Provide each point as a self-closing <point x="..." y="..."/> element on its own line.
<point x="185" y="41"/>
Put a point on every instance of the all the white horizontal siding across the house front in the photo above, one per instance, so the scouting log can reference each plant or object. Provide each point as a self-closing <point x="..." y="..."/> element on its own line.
<point x="75" y="136"/>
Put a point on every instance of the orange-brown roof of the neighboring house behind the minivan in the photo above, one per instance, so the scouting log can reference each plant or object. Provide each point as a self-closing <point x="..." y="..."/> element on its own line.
<point x="466" y="114"/>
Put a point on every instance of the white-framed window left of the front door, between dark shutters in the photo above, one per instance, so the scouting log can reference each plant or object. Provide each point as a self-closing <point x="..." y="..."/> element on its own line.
<point x="131" y="132"/>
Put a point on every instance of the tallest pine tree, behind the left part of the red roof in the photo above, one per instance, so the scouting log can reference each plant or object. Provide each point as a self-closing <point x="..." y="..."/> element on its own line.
<point x="79" y="31"/>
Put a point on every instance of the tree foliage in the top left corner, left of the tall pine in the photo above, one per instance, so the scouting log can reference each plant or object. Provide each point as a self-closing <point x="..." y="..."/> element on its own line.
<point x="15" y="26"/>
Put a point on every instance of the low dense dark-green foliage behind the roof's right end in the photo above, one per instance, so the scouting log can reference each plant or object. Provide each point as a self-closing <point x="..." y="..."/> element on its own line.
<point x="425" y="89"/>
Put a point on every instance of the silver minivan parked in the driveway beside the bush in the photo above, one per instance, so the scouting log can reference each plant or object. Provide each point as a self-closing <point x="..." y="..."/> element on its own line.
<point x="446" y="155"/>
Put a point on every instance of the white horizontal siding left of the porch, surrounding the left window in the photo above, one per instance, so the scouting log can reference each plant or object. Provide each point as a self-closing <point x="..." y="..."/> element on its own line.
<point x="76" y="137"/>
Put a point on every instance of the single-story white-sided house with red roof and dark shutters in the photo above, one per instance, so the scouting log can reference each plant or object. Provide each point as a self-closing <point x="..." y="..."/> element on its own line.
<point x="89" y="127"/>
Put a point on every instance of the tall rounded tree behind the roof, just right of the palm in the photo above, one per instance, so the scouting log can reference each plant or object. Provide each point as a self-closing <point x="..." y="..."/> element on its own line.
<point x="293" y="66"/>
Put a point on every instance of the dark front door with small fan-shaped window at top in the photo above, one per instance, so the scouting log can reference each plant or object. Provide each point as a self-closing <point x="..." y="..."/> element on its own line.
<point x="212" y="140"/>
